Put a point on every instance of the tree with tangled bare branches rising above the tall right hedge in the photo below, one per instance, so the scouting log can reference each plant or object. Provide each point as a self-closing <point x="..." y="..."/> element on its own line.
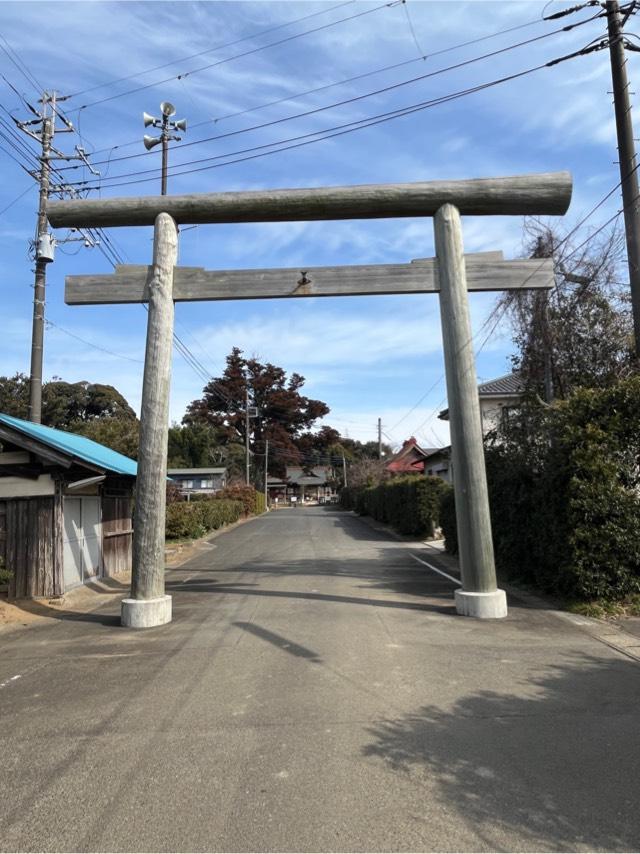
<point x="580" y="333"/>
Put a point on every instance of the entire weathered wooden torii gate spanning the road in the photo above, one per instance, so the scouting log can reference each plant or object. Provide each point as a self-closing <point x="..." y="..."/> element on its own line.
<point x="450" y="274"/>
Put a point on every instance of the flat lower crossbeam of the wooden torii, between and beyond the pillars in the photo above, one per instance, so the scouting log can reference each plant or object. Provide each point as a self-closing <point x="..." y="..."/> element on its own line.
<point x="130" y="283"/>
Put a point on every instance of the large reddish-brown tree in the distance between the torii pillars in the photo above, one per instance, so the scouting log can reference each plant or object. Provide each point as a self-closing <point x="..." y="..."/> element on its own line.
<point x="281" y="411"/>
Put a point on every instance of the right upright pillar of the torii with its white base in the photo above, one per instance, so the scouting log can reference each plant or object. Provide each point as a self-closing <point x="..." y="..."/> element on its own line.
<point x="479" y="595"/>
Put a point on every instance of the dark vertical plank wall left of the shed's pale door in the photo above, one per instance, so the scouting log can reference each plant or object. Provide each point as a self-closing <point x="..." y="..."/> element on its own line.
<point x="30" y="551"/>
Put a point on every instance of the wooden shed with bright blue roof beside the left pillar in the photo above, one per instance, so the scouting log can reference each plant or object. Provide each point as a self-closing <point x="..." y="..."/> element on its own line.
<point x="65" y="509"/>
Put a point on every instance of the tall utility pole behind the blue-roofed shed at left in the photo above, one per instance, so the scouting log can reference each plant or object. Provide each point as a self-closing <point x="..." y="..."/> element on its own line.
<point x="44" y="254"/>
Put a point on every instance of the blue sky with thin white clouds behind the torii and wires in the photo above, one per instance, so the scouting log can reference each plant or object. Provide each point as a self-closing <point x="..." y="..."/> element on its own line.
<point x="365" y="357"/>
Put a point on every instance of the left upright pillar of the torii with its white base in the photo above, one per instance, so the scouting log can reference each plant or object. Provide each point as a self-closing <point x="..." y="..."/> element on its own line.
<point x="148" y="605"/>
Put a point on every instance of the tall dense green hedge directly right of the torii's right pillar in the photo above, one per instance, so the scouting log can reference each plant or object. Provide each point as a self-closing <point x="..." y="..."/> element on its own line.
<point x="565" y="504"/>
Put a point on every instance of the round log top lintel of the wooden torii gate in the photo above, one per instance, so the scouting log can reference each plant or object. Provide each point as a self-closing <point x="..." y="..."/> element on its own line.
<point x="538" y="194"/>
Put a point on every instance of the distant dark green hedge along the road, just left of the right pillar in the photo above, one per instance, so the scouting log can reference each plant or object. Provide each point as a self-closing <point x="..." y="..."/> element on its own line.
<point x="410" y="504"/>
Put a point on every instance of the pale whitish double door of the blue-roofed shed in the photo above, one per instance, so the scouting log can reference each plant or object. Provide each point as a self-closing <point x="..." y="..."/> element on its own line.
<point x="82" y="538"/>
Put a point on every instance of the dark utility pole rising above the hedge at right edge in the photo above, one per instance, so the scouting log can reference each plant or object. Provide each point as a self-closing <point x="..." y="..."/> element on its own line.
<point x="627" y="158"/>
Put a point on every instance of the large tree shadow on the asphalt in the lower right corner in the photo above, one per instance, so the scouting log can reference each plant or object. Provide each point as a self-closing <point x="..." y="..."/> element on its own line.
<point x="559" y="766"/>
